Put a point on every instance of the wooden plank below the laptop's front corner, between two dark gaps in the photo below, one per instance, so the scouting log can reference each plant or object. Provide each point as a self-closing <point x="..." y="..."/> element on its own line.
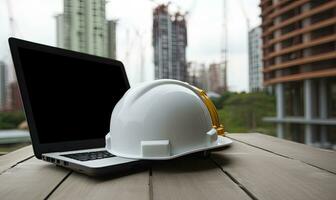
<point x="79" y="186"/>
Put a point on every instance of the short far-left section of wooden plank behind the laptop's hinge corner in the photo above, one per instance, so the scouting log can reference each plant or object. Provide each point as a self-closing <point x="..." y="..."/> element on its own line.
<point x="11" y="159"/>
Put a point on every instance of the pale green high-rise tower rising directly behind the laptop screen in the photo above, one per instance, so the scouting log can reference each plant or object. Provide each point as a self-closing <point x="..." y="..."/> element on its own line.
<point x="83" y="27"/>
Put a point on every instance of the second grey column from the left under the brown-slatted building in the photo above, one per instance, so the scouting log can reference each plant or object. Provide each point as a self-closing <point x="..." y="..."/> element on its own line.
<point x="308" y="110"/>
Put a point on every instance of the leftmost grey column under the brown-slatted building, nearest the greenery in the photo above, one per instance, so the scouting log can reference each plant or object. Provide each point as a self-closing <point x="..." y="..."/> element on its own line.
<point x="279" y="91"/>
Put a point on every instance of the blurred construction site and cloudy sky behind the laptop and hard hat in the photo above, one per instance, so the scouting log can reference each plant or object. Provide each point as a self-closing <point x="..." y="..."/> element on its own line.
<point x="269" y="65"/>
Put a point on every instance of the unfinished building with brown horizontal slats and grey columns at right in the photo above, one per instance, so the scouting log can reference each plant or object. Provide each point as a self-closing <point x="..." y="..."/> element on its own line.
<point x="299" y="57"/>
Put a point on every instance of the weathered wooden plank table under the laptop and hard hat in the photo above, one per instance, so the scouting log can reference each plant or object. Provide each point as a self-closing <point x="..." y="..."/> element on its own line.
<point x="254" y="167"/>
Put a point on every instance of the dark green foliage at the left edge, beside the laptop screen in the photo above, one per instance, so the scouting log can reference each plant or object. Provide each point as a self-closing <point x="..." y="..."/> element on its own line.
<point x="11" y="120"/>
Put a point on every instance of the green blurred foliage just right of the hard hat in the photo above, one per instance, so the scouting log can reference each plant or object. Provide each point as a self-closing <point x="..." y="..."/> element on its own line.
<point x="243" y="112"/>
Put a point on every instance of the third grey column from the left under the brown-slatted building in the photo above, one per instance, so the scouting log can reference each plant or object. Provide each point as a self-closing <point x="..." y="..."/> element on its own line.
<point x="323" y="109"/>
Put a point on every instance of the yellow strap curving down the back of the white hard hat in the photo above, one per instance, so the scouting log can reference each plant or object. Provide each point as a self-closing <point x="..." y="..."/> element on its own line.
<point x="212" y="110"/>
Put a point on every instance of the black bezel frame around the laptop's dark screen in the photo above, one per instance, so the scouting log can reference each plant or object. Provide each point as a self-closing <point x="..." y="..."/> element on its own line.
<point x="39" y="148"/>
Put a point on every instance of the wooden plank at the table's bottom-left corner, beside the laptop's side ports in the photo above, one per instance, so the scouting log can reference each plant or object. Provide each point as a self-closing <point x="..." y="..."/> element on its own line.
<point x="32" y="179"/>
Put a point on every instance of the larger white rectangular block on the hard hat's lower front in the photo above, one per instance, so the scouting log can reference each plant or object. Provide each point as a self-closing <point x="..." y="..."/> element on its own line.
<point x="155" y="148"/>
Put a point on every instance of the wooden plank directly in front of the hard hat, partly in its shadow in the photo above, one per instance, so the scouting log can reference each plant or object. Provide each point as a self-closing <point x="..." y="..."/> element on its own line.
<point x="191" y="178"/>
